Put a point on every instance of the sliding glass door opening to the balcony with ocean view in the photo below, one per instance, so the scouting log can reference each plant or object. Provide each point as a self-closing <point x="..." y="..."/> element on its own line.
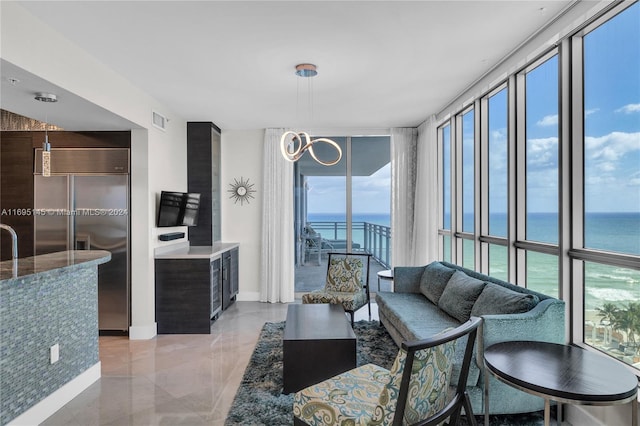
<point x="345" y="207"/>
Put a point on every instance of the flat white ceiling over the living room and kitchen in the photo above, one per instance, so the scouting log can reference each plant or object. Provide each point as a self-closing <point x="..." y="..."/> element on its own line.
<point x="380" y="64"/>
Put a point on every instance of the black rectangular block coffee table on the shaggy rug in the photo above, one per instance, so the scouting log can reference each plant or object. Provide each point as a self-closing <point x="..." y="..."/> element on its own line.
<point x="318" y="344"/>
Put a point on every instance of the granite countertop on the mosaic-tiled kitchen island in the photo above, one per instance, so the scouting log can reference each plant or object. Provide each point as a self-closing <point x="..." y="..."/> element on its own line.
<point x="71" y="259"/>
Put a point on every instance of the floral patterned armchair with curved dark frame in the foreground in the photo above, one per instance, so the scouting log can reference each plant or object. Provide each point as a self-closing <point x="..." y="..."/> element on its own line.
<point x="414" y="391"/>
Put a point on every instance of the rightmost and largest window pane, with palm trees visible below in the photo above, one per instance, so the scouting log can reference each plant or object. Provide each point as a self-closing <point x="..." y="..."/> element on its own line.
<point x="610" y="208"/>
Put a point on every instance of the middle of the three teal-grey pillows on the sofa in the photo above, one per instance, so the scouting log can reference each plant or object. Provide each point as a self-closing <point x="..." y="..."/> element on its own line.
<point x="459" y="295"/>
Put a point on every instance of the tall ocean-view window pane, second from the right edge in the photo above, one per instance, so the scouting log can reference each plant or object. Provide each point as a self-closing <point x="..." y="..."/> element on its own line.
<point x="537" y="175"/>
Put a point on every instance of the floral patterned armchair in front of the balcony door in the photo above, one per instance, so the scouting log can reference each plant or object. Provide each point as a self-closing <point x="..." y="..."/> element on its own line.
<point x="347" y="283"/>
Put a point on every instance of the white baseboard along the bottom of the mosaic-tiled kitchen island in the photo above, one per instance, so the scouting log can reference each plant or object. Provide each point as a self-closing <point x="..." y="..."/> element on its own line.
<point x="48" y="406"/>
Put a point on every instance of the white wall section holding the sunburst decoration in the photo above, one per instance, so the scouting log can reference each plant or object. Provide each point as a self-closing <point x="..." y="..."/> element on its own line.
<point x="242" y="152"/>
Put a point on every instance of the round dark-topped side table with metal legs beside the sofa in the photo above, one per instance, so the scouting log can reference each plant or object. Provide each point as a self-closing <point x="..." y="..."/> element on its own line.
<point x="566" y="374"/>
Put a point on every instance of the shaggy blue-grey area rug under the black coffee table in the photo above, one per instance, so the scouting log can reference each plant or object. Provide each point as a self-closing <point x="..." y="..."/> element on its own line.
<point x="259" y="400"/>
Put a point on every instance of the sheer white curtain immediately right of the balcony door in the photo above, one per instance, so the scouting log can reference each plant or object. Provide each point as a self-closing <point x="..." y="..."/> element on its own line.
<point x="403" y="180"/>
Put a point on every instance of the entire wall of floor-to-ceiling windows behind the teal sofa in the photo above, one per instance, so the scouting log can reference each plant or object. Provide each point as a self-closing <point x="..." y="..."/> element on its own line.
<point x="557" y="208"/>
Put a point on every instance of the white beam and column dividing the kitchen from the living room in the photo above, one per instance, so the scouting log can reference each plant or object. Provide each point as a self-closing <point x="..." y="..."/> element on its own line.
<point x="158" y="158"/>
